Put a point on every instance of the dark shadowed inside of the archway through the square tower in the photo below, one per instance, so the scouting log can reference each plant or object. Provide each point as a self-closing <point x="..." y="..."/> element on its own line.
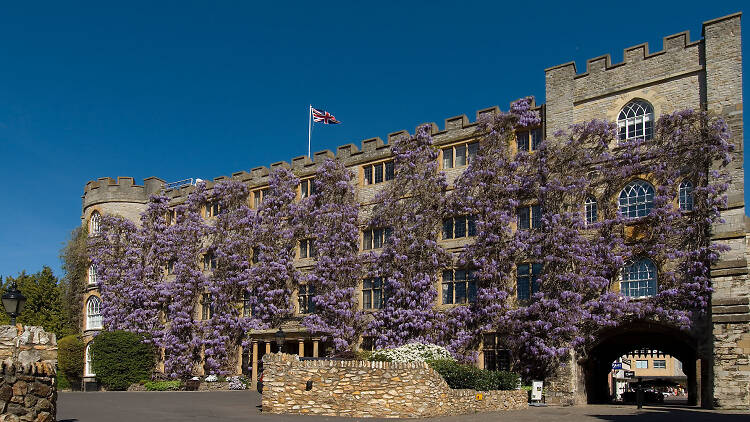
<point x="620" y="341"/>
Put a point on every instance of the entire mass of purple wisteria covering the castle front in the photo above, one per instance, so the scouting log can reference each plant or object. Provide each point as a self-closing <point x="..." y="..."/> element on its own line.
<point x="573" y="261"/>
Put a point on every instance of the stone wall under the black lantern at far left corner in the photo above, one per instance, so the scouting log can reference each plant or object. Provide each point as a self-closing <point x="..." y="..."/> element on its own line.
<point x="28" y="390"/>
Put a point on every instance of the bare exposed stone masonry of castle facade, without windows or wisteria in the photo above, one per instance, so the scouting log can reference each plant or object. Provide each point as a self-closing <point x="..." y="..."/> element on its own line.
<point x="685" y="74"/>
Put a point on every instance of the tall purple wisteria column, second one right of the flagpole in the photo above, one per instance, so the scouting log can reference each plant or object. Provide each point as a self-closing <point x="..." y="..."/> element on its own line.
<point x="410" y="207"/>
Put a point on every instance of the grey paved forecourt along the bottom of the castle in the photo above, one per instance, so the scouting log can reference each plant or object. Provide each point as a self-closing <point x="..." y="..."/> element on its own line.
<point x="245" y="406"/>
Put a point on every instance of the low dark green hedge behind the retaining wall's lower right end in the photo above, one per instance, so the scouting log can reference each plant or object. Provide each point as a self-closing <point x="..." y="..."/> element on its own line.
<point x="461" y="376"/>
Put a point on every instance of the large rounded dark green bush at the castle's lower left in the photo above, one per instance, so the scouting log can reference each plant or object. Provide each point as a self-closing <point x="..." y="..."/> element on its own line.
<point x="121" y="358"/>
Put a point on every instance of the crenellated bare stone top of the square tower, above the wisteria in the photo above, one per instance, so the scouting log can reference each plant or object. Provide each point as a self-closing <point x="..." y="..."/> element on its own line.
<point x="677" y="67"/>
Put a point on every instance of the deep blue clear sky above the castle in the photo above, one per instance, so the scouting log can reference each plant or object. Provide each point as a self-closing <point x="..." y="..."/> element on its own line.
<point x="203" y="89"/>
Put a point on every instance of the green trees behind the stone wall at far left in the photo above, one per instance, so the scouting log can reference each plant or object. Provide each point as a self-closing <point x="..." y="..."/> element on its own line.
<point x="44" y="302"/>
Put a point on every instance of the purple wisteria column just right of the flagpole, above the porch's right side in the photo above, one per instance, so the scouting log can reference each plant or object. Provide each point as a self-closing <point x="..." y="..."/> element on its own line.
<point x="337" y="270"/>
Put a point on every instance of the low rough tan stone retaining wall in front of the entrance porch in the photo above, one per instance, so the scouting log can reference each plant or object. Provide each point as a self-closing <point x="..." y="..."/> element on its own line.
<point x="371" y="389"/>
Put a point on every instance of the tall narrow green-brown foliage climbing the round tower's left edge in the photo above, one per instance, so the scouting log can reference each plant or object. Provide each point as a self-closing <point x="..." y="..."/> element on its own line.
<point x="75" y="264"/>
